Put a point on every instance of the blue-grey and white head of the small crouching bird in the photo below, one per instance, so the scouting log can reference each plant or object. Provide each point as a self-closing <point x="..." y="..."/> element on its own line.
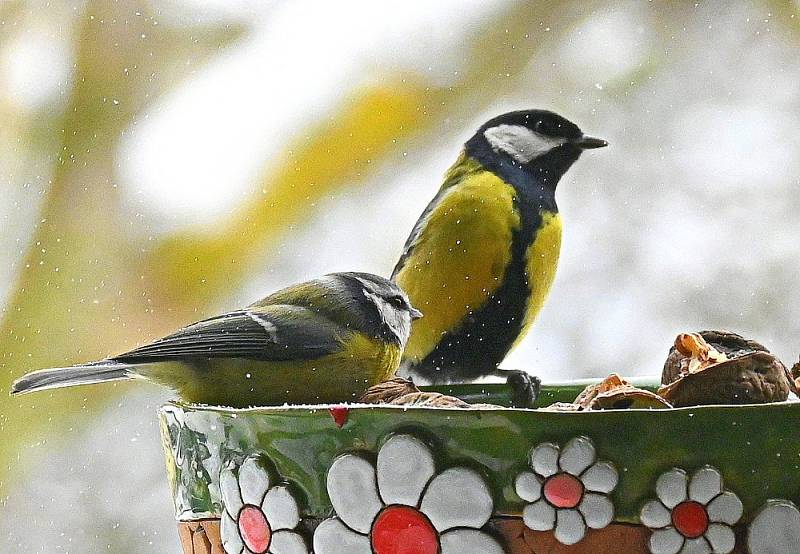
<point x="381" y="308"/>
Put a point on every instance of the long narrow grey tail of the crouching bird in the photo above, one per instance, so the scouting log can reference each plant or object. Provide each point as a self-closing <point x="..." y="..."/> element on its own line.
<point x="56" y="377"/>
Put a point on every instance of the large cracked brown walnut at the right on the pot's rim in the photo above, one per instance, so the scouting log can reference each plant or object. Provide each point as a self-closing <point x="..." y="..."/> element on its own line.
<point x="719" y="367"/>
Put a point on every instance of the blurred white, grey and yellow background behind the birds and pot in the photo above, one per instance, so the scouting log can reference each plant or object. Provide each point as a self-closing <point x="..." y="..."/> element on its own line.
<point x="163" y="160"/>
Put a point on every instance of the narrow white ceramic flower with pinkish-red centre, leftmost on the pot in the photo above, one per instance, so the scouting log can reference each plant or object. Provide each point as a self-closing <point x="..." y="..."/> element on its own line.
<point x="260" y="516"/>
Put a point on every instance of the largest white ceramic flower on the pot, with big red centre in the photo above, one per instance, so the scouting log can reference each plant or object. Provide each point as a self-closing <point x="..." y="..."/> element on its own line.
<point x="401" y="505"/>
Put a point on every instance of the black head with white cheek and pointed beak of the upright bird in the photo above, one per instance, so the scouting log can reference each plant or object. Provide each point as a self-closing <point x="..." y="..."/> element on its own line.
<point x="541" y="143"/>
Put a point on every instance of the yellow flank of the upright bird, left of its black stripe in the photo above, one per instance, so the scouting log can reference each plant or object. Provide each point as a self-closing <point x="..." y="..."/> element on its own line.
<point x="457" y="256"/>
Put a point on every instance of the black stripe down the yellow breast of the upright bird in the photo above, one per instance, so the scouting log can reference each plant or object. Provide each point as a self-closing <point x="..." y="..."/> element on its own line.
<point x="484" y="338"/>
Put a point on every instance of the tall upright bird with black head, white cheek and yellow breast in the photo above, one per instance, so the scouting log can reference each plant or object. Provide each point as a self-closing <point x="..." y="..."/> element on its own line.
<point x="482" y="256"/>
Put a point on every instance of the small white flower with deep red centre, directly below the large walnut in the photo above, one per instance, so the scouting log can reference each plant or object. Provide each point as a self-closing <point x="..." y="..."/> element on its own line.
<point x="692" y="515"/>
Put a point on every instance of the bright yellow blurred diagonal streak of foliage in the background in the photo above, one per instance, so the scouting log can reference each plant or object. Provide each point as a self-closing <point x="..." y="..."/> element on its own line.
<point x="328" y="157"/>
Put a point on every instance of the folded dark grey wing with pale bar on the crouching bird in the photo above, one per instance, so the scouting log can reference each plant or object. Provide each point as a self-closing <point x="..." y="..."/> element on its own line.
<point x="271" y="333"/>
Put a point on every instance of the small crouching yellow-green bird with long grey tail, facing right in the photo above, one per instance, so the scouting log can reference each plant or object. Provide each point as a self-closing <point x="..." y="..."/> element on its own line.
<point x="325" y="340"/>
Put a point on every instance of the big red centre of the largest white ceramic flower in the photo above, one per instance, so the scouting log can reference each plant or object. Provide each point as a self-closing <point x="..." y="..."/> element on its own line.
<point x="403" y="530"/>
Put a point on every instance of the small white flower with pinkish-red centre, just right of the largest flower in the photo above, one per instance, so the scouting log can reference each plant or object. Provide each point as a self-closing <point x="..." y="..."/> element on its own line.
<point x="568" y="490"/>
